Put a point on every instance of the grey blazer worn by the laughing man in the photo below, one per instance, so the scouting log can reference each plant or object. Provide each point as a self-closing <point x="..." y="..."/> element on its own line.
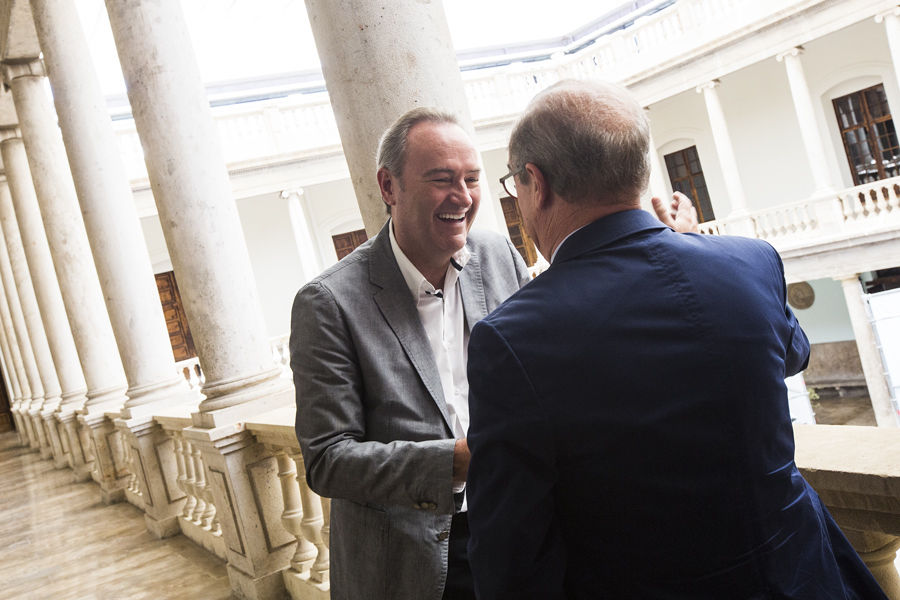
<point x="371" y="417"/>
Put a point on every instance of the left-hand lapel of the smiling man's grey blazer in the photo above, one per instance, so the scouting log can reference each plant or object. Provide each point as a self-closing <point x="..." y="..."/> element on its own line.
<point x="396" y="305"/>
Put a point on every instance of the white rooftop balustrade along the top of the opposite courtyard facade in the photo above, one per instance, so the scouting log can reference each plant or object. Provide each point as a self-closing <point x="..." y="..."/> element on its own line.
<point x="303" y="124"/>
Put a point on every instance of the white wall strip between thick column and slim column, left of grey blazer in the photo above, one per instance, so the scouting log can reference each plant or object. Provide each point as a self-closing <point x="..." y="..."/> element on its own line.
<point x="276" y="265"/>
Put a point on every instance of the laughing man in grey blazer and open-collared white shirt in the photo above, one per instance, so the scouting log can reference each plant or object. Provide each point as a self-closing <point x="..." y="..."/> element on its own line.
<point x="378" y="351"/>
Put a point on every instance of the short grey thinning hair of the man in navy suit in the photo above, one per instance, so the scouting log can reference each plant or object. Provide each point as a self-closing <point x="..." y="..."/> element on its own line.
<point x="589" y="139"/>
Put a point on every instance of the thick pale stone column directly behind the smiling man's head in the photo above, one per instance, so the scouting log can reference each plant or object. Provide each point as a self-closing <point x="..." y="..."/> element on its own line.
<point x="379" y="62"/>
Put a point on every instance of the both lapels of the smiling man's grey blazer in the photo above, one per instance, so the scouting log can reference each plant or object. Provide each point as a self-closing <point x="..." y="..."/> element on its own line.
<point x="395" y="302"/>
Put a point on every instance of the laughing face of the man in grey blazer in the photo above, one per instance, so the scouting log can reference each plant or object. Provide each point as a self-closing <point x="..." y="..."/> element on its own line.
<point x="434" y="200"/>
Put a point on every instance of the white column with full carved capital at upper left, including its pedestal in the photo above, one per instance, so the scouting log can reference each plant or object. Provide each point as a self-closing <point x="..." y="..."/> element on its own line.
<point x="74" y="266"/>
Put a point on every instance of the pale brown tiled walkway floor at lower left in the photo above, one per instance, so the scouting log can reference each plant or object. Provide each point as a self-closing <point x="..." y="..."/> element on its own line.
<point x="58" y="541"/>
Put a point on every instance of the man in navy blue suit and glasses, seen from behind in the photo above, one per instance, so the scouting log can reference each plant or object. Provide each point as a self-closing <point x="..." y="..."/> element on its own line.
<point x="630" y="434"/>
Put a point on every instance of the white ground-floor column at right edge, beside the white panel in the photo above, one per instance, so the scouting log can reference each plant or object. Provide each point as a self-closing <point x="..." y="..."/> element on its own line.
<point x="873" y="367"/>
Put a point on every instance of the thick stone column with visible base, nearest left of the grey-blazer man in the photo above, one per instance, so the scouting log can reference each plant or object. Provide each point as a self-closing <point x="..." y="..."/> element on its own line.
<point x="197" y="212"/>
